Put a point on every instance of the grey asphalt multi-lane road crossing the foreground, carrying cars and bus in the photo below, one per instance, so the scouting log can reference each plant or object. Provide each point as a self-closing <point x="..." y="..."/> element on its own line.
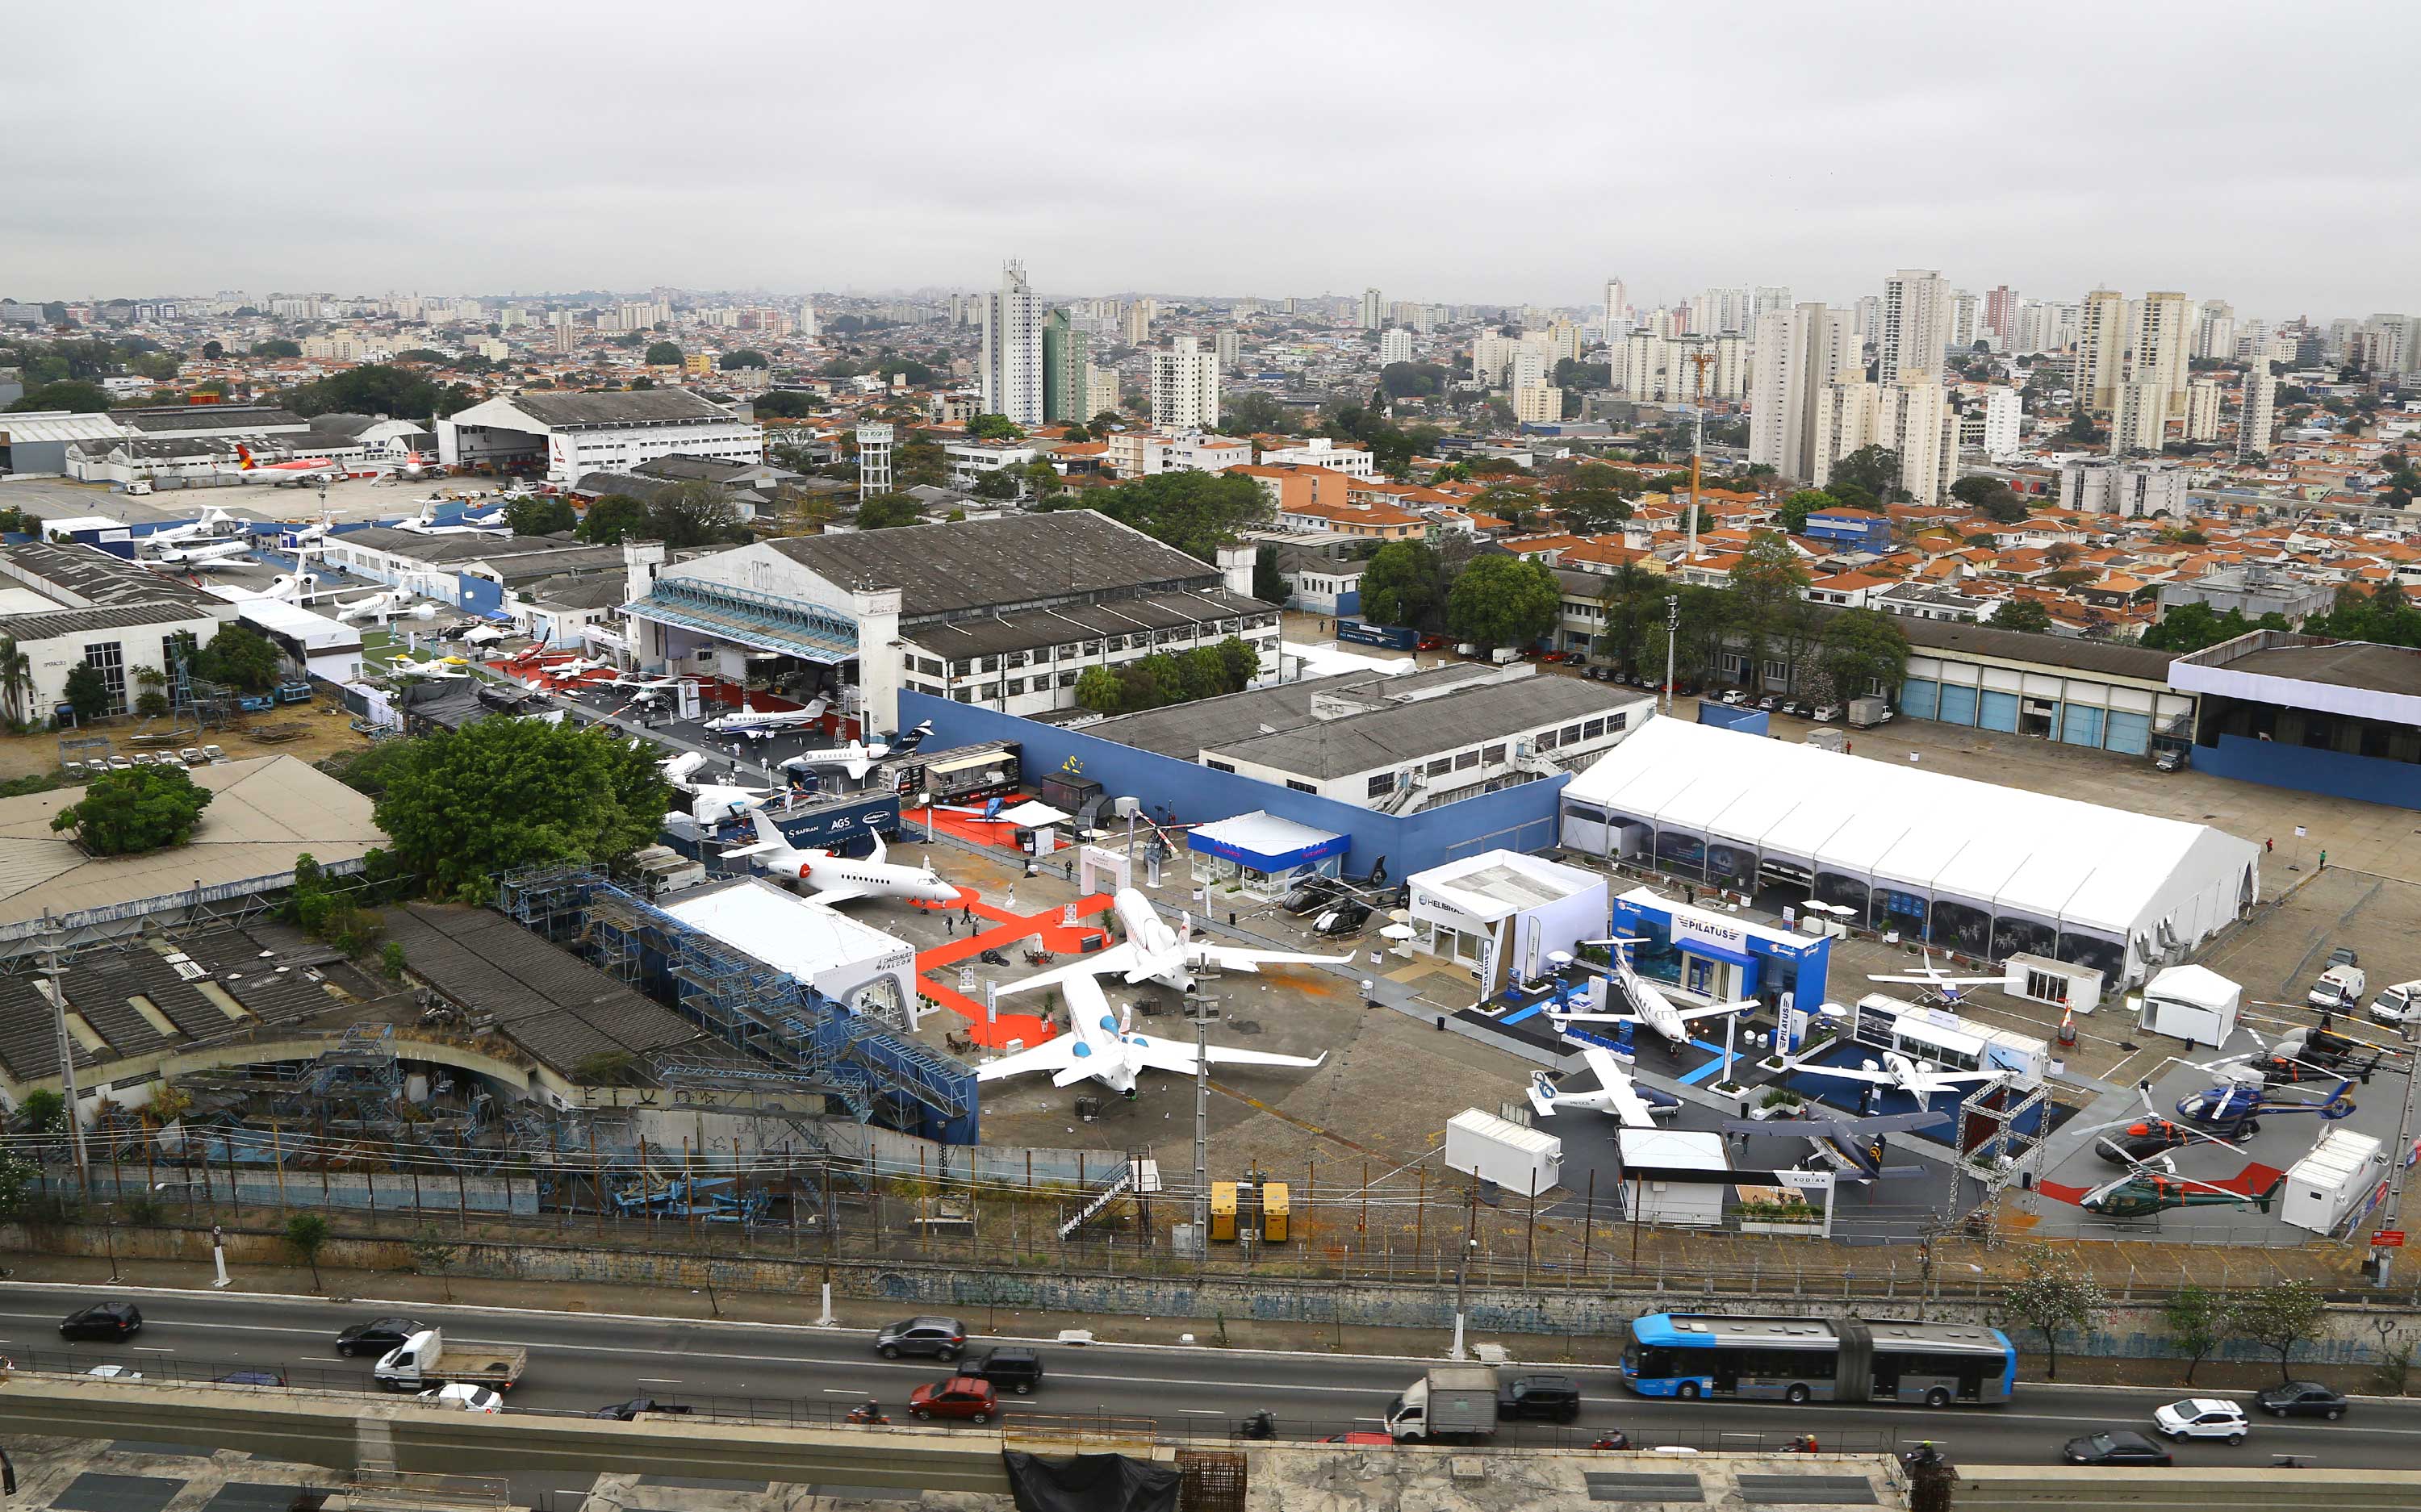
<point x="582" y="1363"/>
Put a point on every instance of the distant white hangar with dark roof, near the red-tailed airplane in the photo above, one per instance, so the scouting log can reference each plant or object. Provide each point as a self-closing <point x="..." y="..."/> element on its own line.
<point x="568" y="437"/>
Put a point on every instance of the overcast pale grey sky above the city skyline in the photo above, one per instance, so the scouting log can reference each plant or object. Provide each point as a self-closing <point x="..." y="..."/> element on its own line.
<point x="1485" y="154"/>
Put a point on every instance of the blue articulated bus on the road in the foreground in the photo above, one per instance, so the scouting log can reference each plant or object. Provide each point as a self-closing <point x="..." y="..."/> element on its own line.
<point x="1703" y="1356"/>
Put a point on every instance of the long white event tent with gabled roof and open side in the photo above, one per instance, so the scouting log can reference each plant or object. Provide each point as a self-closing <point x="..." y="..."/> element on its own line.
<point x="1962" y="865"/>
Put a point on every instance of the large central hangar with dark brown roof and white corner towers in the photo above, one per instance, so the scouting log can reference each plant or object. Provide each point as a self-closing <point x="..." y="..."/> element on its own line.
<point x="999" y="613"/>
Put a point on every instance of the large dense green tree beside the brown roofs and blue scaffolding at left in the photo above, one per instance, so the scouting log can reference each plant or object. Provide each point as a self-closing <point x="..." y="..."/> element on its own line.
<point x="464" y="807"/>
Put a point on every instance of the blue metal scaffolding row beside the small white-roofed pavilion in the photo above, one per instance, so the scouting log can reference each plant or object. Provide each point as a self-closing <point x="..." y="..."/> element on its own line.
<point x="749" y="1005"/>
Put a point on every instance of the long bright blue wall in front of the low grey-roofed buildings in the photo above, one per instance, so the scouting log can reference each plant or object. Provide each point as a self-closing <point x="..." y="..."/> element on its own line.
<point x="1519" y="819"/>
